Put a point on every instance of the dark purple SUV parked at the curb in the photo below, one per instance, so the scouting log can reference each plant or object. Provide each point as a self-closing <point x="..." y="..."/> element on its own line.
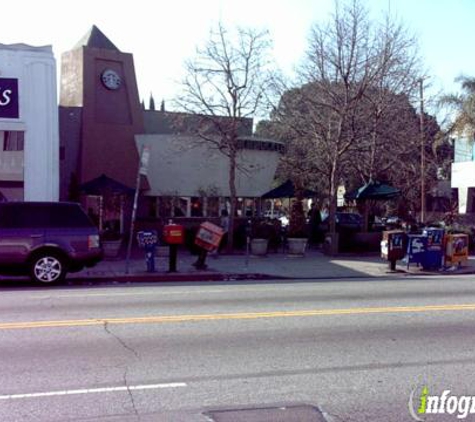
<point x="46" y="240"/>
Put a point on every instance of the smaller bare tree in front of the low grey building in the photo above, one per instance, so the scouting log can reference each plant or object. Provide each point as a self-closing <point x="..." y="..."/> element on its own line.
<point x="225" y="84"/>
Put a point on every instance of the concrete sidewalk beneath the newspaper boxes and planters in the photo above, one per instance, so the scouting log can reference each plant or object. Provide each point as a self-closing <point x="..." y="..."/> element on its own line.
<point x="314" y="265"/>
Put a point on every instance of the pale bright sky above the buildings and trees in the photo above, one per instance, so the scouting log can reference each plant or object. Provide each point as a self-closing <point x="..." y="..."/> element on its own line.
<point x="163" y="34"/>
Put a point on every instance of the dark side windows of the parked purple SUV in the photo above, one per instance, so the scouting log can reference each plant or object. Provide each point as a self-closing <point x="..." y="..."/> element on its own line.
<point x="39" y="215"/>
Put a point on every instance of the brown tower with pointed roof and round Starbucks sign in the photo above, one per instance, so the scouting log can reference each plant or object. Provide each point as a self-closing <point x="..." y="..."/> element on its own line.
<point x="100" y="111"/>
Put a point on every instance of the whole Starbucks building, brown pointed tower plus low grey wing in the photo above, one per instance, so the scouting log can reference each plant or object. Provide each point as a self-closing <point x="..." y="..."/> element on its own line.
<point x="103" y="128"/>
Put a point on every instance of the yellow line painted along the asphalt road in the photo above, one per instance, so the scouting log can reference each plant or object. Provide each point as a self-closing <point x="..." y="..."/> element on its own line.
<point x="233" y="316"/>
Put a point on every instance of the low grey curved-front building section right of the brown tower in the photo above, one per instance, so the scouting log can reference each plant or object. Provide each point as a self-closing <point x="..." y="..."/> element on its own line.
<point x="188" y="177"/>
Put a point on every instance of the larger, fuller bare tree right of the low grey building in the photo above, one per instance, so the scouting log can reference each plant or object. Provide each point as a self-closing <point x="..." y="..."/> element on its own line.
<point x="353" y="69"/>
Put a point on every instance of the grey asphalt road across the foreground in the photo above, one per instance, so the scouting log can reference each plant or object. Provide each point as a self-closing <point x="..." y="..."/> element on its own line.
<point x="354" y="349"/>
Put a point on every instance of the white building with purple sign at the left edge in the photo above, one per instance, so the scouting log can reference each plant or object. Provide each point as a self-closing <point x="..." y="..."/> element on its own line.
<point x="29" y="139"/>
